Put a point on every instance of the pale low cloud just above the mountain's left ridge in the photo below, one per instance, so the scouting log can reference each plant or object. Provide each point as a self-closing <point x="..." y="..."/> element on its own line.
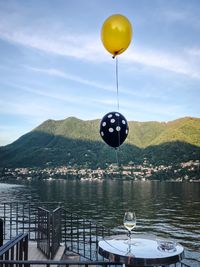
<point x="45" y="107"/>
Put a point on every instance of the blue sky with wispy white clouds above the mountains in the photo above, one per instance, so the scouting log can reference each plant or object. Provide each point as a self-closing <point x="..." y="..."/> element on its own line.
<point x="53" y="64"/>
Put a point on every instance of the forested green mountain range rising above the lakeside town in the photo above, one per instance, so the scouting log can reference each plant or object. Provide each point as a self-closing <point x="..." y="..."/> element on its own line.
<point x="76" y="142"/>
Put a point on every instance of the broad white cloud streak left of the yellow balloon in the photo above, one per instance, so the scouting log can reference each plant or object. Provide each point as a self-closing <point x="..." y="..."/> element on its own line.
<point x="60" y="43"/>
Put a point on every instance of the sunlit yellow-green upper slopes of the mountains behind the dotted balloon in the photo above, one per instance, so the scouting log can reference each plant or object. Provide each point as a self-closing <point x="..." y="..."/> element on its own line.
<point x="138" y="128"/>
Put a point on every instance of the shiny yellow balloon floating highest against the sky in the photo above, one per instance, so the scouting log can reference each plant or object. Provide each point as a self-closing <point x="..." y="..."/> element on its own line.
<point x="116" y="34"/>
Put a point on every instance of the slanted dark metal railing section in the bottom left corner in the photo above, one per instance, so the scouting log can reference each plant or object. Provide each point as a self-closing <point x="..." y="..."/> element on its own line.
<point x="15" y="249"/>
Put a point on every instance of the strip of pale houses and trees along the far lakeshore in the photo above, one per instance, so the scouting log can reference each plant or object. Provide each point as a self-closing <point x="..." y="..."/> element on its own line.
<point x="186" y="171"/>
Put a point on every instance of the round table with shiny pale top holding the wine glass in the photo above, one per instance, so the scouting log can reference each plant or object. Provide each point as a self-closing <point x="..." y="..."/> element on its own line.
<point x="144" y="251"/>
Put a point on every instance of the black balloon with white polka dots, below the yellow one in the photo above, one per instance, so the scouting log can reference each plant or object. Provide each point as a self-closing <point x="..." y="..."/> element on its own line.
<point x="114" y="129"/>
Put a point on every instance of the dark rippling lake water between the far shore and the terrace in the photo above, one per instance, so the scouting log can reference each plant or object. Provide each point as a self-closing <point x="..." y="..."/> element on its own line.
<point x="162" y="208"/>
